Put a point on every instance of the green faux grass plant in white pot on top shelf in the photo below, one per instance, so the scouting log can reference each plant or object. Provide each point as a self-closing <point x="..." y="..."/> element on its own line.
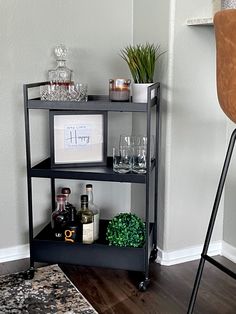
<point x="141" y="59"/>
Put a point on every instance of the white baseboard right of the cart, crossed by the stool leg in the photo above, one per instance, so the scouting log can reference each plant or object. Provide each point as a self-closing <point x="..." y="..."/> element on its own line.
<point x="169" y="258"/>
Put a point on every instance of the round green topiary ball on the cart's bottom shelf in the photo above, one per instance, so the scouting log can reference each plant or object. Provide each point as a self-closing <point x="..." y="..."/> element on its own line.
<point x="126" y="229"/>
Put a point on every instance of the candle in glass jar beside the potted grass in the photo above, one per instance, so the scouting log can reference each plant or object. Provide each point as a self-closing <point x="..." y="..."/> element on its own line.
<point x="119" y="89"/>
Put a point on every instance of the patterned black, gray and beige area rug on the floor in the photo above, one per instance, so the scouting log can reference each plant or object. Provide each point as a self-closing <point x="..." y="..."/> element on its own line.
<point x="50" y="291"/>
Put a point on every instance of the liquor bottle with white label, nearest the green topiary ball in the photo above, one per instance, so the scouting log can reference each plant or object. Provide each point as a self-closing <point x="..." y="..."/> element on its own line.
<point x="87" y="221"/>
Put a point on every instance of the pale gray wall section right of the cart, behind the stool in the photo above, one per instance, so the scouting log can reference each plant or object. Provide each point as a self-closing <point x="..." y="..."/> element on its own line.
<point x="196" y="131"/>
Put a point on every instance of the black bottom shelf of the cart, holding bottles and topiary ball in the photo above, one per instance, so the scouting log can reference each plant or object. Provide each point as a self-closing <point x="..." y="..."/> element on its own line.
<point x="45" y="249"/>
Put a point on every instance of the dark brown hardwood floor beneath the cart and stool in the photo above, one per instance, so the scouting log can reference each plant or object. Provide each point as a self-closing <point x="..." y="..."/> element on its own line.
<point x="115" y="291"/>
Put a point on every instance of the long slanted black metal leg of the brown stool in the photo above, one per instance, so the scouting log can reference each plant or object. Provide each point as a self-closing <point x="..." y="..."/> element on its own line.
<point x="212" y="222"/>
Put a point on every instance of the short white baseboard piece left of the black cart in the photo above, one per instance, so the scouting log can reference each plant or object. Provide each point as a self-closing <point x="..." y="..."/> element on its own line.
<point x="14" y="253"/>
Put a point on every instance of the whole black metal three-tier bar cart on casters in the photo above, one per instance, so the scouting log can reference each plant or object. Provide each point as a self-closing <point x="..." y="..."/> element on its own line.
<point x="43" y="247"/>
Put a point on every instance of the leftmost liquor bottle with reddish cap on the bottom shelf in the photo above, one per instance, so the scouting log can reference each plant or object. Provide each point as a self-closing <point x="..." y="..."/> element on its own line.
<point x="59" y="217"/>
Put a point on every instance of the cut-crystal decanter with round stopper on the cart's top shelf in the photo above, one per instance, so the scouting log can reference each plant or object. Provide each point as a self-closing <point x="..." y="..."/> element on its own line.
<point x="61" y="75"/>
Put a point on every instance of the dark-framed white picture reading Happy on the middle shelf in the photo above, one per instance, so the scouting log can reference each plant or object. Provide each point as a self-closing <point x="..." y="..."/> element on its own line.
<point x="78" y="138"/>
